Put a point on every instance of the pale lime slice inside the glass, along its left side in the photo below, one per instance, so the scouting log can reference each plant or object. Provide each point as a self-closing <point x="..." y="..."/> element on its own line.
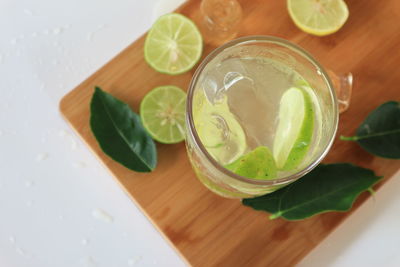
<point x="218" y="129"/>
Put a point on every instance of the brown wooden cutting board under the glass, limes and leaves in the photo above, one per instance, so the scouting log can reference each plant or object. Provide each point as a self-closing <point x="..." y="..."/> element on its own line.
<point x="206" y="229"/>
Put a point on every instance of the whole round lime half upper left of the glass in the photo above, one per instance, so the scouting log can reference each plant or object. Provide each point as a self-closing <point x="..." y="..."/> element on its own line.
<point x="173" y="44"/>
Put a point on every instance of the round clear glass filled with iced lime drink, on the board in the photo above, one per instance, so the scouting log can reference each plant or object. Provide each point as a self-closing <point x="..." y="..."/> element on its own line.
<point x="261" y="113"/>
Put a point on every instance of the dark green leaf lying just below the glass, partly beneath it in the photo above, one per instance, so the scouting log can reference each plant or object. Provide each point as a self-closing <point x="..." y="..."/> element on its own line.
<point x="331" y="187"/>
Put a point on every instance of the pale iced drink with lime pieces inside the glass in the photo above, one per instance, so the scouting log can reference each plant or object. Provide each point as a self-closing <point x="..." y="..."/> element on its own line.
<point x="248" y="103"/>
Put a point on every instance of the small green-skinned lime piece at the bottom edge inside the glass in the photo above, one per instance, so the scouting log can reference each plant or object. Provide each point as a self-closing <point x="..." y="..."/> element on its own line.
<point x="258" y="164"/>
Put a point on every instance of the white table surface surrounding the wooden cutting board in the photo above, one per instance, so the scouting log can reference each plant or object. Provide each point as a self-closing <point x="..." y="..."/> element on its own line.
<point x="59" y="206"/>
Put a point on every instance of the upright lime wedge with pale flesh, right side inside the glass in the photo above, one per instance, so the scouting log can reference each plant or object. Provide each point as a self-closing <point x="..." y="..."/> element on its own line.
<point x="295" y="128"/>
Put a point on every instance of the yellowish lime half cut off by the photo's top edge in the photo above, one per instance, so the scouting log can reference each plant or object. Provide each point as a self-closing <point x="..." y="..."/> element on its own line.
<point x="318" y="17"/>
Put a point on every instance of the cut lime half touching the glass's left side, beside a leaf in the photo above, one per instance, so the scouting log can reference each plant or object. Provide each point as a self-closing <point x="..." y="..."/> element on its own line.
<point x="162" y="112"/>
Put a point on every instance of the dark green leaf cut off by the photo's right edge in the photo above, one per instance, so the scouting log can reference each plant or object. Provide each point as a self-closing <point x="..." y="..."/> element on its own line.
<point x="379" y="134"/>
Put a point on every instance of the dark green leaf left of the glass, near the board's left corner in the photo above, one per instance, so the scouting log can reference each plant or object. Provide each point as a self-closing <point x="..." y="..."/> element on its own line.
<point x="120" y="133"/>
